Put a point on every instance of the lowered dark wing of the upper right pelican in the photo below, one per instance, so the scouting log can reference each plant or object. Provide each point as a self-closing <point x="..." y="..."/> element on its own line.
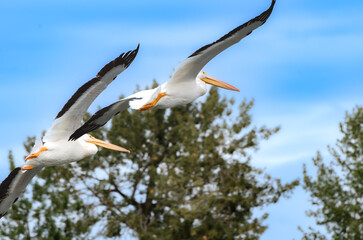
<point x="101" y="117"/>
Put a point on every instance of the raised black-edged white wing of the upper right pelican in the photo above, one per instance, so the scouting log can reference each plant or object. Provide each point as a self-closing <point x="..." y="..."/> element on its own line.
<point x="190" y="67"/>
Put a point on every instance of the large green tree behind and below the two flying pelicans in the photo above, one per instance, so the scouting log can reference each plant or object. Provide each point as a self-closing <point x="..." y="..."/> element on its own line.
<point x="188" y="176"/>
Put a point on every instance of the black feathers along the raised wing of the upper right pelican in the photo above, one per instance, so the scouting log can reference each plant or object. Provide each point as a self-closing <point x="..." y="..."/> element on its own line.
<point x="262" y="17"/>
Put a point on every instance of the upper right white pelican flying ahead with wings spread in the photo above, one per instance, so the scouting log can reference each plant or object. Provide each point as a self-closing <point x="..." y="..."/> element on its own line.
<point x="187" y="84"/>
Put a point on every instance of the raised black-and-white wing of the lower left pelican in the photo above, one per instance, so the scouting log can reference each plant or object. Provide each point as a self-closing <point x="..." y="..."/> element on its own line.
<point x="70" y="117"/>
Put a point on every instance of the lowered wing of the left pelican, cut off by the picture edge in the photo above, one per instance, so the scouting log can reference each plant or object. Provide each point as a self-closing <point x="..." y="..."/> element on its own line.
<point x="13" y="186"/>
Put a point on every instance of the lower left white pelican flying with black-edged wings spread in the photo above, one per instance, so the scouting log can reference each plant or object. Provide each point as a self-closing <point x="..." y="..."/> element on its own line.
<point x="55" y="149"/>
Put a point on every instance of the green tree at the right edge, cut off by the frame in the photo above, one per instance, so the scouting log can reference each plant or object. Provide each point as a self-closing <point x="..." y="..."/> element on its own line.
<point x="337" y="191"/>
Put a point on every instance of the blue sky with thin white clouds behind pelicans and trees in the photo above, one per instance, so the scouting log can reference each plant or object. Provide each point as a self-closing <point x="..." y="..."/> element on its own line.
<point x="303" y="68"/>
